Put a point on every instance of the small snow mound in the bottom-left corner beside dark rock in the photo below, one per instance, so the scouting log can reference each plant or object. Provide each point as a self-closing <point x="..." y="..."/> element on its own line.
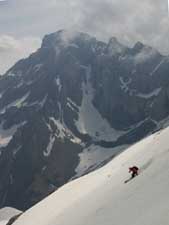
<point x="7" y="213"/>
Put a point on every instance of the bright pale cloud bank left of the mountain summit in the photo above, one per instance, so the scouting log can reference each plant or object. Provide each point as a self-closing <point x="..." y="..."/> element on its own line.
<point x="12" y="50"/>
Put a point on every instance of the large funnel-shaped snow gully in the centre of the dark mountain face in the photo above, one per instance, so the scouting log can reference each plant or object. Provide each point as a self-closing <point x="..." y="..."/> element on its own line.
<point x="90" y="120"/>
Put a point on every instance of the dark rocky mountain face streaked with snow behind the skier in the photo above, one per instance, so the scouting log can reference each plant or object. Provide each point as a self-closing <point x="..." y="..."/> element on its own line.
<point x="72" y="106"/>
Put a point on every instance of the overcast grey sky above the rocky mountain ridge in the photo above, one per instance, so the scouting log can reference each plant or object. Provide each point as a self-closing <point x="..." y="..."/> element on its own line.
<point x="23" y="23"/>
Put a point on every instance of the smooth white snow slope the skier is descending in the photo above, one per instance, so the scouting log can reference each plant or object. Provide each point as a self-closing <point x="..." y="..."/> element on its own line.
<point x="102" y="198"/>
